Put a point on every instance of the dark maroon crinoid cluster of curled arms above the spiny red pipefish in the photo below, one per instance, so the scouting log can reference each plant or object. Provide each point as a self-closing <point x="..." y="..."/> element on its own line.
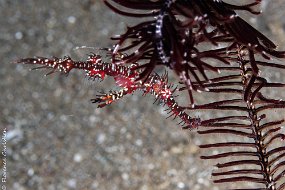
<point x="177" y="31"/>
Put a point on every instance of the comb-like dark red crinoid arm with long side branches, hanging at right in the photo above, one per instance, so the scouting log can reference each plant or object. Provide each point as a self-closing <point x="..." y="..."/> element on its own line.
<point x="250" y="142"/>
